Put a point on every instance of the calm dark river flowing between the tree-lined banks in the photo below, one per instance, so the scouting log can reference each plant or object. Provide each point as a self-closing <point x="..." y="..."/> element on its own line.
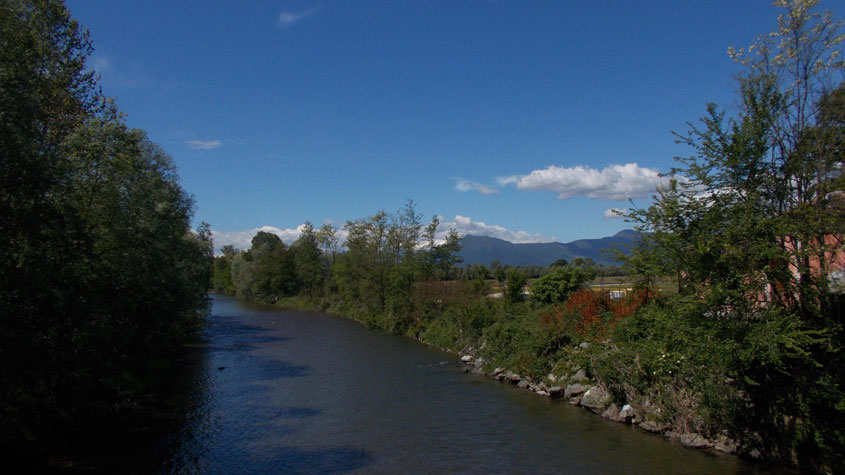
<point x="299" y="392"/>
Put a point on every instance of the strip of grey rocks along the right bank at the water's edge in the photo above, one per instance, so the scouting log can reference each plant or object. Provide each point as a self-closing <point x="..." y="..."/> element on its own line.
<point x="577" y="389"/>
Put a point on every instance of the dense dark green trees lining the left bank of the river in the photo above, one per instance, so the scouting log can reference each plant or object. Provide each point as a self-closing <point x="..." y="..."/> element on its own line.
<point x="101" y="275"/>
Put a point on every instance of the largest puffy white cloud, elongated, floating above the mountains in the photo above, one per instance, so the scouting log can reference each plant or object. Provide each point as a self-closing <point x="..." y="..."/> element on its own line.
<point x="616" y="182"/>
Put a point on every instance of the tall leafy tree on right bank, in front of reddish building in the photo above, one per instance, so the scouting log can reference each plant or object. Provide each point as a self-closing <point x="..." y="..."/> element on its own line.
<point x="748" y="224"/>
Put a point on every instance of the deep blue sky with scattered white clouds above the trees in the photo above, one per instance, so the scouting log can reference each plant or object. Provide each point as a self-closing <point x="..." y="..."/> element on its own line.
<point x="523" y="120"/>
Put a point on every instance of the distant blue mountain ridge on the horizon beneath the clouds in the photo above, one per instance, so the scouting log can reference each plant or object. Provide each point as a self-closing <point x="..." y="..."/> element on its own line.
<point x="483" y="249"/>
